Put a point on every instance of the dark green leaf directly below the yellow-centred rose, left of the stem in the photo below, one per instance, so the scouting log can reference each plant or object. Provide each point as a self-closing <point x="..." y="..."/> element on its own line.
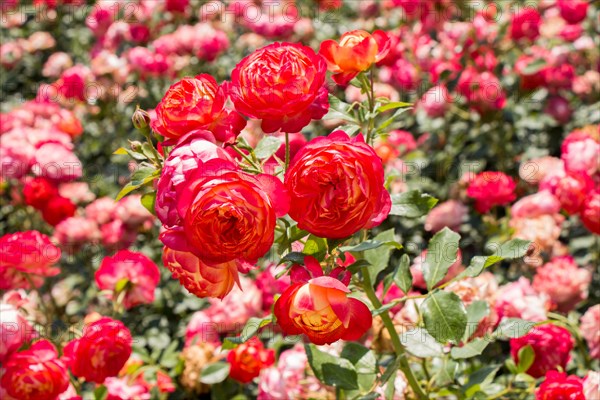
<point x="331" y="370"/>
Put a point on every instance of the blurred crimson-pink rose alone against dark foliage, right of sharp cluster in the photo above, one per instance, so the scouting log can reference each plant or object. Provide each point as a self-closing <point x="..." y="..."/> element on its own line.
<point x="491" y="189"/>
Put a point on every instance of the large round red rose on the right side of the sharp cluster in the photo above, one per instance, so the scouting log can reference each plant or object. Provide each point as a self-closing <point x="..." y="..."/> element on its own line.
<point x="336" y="186"/>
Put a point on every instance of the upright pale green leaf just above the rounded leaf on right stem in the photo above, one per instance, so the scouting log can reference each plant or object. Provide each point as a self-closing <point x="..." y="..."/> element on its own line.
<point x="442" y="252"/>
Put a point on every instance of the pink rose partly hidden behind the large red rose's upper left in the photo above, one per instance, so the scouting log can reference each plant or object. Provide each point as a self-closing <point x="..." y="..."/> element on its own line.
<point x="189" y="154"/>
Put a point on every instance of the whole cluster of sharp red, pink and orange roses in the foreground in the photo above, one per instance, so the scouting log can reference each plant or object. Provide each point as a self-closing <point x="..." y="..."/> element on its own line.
<point x="219" y="219"/>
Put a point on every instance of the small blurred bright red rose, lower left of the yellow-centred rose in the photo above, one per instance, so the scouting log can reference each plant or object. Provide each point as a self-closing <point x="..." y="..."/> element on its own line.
<point x="248" y="359"/>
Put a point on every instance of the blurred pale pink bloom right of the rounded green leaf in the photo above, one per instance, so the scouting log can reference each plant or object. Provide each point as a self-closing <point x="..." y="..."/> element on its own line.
<point x="519" y="300"/>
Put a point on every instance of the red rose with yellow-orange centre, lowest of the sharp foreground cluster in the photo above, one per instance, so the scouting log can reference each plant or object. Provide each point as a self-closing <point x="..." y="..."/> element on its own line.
<point x="321" y="309"/>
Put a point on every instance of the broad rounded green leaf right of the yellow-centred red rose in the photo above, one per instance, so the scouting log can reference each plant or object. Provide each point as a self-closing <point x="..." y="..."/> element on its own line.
<point x="445" y="316"/>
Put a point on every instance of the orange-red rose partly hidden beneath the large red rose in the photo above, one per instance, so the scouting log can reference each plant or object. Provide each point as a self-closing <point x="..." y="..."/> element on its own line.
<point x="200" y="279"/>
